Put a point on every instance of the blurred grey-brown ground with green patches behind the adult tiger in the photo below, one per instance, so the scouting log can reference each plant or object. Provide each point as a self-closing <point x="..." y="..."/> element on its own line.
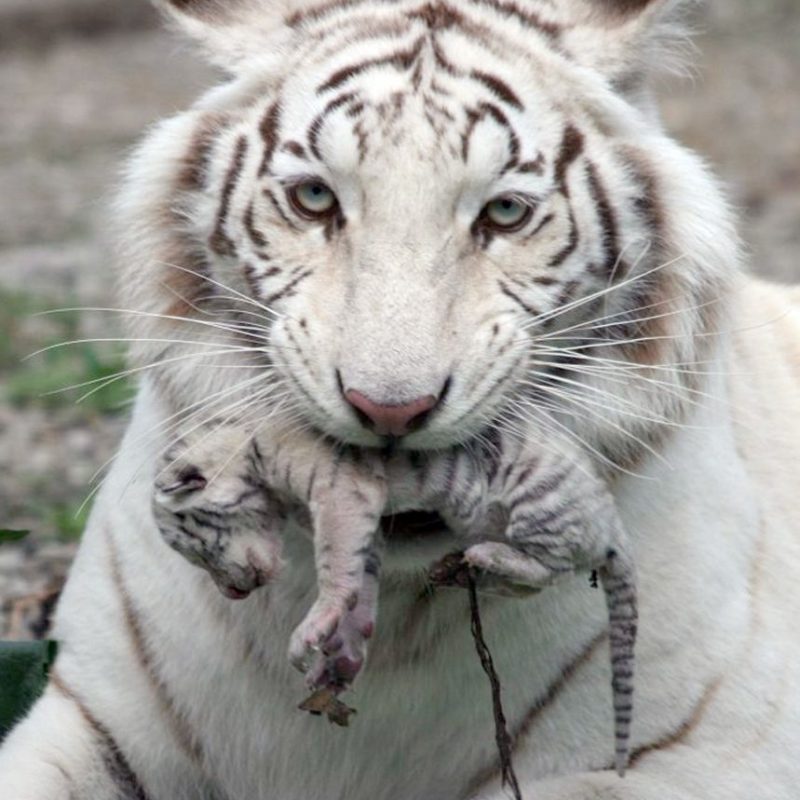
<point x="79" y="82"/>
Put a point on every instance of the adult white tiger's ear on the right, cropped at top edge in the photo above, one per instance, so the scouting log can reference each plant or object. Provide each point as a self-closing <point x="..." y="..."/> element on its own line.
<point x="629" y="40"/>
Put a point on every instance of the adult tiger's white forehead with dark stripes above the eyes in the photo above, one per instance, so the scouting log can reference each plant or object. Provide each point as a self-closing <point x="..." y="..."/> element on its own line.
<point x="410" y="87"/>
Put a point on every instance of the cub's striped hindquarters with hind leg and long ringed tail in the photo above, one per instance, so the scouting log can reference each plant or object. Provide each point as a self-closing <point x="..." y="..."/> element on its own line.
<point x="561" y="518"/>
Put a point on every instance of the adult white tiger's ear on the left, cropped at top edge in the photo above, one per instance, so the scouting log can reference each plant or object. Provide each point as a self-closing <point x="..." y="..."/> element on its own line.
<point x="230" y="32"/>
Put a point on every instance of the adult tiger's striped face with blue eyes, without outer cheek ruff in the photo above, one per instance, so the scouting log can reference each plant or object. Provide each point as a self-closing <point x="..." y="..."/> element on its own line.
<point x="431" y="205"/>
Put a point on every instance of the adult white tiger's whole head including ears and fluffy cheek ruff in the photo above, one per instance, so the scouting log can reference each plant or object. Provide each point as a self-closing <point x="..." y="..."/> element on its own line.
<point x="418" y="219"/>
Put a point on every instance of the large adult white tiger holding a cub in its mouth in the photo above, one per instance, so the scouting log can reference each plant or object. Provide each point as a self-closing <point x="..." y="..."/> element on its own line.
<point x="428" y="195"/>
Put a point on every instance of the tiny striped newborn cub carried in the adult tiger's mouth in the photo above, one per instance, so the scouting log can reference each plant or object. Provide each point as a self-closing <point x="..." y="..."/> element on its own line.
<point x="527" y="517"/>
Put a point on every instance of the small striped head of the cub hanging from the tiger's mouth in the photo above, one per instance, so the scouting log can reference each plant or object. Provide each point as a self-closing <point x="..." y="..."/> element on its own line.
<point x="211" y="505"/>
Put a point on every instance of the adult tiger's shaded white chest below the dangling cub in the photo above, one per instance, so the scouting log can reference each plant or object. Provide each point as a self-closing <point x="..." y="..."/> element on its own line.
<point x="424" y="724"/>
